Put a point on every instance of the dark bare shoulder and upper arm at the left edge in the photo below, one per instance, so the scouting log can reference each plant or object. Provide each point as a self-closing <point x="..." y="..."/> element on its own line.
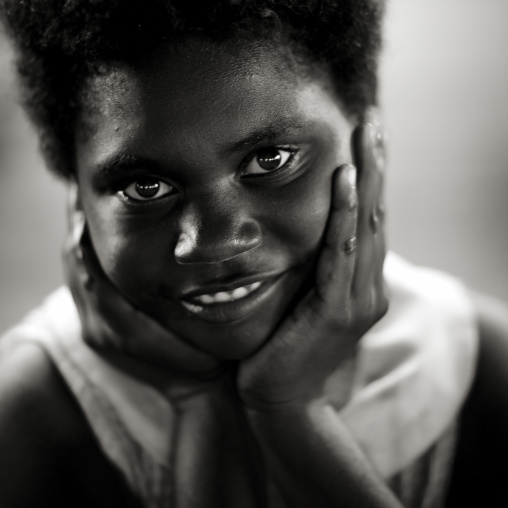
<point x="45" y="441"/>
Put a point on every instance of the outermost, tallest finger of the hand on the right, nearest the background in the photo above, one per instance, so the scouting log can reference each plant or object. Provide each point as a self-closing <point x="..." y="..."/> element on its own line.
<point x="369" y="183"/>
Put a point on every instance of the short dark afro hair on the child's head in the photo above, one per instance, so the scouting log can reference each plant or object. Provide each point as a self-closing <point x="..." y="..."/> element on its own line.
<point x="61" y="42"/>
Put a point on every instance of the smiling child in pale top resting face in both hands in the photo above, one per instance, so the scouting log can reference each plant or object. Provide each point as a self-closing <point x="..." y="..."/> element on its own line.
<point x="226" y="340"/>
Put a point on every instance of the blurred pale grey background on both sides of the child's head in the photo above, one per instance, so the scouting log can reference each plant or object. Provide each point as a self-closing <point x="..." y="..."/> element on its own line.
<point x="444" y="100"/>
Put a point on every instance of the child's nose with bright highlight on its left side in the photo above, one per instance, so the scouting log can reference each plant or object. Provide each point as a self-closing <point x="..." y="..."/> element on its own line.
<point x="215" y="231"/>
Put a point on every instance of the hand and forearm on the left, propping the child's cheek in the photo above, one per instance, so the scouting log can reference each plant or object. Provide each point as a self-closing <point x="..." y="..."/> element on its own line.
<point x="209" y="428"/>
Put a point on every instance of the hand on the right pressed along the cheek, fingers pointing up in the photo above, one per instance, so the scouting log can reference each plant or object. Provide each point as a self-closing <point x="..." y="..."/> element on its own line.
<point x="347" y="298"/>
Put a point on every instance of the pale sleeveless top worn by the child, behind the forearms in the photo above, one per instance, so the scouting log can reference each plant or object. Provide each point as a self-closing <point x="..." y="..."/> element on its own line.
<point x="414" y="370"/>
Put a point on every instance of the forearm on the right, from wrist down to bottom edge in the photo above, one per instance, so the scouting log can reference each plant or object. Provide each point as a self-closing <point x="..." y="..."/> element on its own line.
<point x="315" y="461"/>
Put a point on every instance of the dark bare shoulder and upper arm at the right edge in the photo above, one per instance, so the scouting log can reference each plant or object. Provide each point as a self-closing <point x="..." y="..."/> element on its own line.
<point x="481" y="467"/>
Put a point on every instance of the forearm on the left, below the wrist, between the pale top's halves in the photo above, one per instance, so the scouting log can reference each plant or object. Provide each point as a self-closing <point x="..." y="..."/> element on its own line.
<point x="214" y="464"/>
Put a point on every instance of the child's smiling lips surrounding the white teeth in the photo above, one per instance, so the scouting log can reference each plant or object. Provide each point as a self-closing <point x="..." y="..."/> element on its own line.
<point x="226" y="312"/>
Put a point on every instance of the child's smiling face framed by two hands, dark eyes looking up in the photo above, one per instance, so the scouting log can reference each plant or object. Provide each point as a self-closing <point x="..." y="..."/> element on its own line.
<point x="205" y="177"/>
